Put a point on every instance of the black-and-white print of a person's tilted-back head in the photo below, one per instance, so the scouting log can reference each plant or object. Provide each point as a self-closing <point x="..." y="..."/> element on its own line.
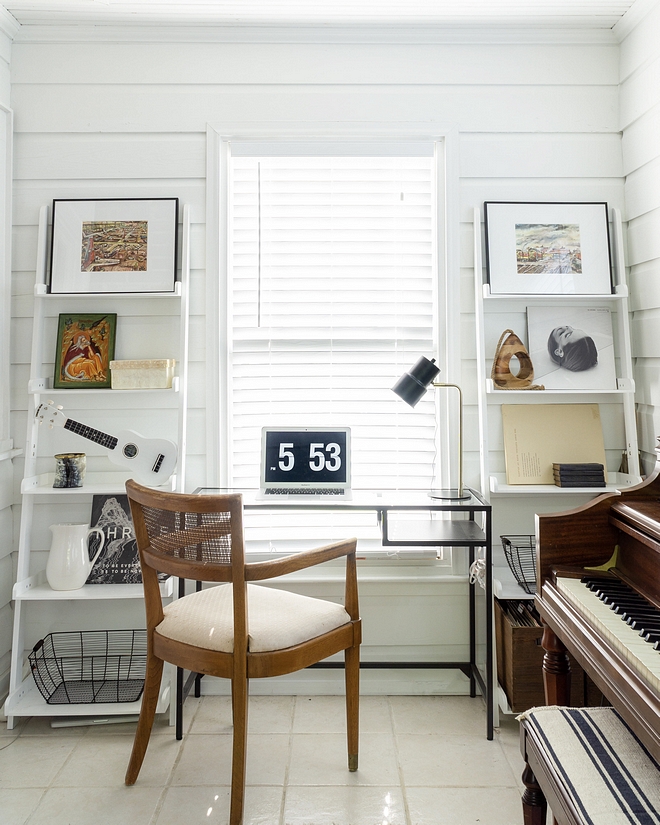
<point x="571" y="347"/>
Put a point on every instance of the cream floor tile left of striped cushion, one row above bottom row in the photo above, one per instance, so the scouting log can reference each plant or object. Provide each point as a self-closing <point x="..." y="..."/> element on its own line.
<point x="459" y="761"/>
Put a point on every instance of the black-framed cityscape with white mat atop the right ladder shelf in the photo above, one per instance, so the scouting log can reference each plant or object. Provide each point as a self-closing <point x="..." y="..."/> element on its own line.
<point x="548" y="248"/>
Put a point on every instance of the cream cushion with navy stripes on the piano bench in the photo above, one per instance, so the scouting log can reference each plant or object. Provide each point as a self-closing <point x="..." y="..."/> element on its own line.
<point x="607" y="773"/>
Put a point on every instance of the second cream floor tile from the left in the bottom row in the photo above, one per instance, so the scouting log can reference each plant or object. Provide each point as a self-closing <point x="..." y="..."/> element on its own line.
<point x="100" y="806"/>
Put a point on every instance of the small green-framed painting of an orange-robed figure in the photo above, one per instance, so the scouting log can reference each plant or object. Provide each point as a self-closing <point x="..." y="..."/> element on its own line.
<point x="85" y="347"/>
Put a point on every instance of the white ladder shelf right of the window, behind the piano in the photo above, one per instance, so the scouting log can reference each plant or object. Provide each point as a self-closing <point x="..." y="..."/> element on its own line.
<point x="515" y="505"/>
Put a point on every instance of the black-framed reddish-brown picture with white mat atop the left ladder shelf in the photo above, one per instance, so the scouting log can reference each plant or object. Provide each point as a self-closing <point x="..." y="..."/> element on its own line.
<point x="114" y="245"/>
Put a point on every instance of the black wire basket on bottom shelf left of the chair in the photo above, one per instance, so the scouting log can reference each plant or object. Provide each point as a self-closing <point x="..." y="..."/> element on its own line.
<point x="90" y="666"/>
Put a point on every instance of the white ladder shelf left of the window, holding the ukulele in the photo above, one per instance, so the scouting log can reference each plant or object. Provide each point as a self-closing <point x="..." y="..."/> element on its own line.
<point x="38" y="609"/>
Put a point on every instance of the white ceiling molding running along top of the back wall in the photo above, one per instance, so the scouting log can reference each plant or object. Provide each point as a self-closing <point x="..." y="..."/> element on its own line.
<point x="440" y="34"/>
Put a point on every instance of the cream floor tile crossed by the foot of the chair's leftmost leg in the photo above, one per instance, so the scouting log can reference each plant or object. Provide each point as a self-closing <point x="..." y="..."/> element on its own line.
<point x="101" y="761"/>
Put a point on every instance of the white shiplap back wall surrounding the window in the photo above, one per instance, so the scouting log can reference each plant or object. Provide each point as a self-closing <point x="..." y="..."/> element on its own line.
<point x="124" y="114"/>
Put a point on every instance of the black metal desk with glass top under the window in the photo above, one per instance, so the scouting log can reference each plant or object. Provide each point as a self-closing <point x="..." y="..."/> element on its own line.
<point x="464" y="532"/>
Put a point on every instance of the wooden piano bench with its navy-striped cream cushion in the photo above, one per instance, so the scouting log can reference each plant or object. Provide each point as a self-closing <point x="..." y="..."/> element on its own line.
<point x="588" y="766"/>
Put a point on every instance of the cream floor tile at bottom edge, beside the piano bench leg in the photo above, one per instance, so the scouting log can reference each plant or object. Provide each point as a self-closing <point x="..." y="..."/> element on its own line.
<point x="464" y="806"/>
